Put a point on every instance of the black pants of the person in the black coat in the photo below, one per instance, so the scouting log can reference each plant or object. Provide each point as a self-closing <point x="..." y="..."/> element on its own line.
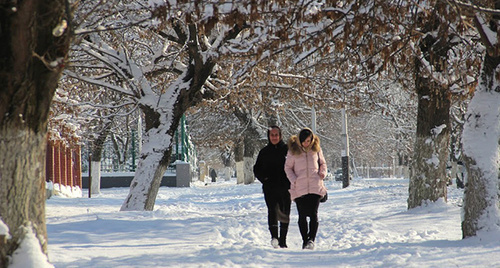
<point x="278" y="210"/>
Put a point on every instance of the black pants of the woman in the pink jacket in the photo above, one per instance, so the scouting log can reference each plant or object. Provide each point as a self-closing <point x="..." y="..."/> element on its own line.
<point x="307" y="206"/>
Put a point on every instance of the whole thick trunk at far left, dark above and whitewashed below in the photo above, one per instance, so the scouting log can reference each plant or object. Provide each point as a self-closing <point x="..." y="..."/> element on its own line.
<point x="32" y="57"/>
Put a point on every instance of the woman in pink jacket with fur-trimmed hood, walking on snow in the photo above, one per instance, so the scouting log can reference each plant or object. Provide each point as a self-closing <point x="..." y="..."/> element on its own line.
<point x="305" y="167"/>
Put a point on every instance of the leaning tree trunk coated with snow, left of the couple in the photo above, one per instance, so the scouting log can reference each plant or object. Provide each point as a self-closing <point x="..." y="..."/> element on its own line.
<point x="161" y="123"/>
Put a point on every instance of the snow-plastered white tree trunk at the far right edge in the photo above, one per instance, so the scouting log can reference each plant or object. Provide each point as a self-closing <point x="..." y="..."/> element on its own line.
<point x="482" y="126"/>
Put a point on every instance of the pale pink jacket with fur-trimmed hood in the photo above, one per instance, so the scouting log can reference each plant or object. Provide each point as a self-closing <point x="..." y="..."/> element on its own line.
<point x="305" y="170"/>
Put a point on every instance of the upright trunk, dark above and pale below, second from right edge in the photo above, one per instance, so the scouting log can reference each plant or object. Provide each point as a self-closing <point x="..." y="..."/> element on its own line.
<point x="428" y="169"/>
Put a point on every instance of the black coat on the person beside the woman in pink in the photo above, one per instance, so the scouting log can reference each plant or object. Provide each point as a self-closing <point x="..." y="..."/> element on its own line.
<point x="270" y="167"/>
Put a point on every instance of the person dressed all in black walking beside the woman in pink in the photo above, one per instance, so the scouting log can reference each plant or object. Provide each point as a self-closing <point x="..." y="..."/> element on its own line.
<point x="269" y="169"/>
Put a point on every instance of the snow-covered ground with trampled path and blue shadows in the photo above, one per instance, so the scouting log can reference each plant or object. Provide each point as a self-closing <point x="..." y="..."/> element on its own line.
<point x="225" y="225"/>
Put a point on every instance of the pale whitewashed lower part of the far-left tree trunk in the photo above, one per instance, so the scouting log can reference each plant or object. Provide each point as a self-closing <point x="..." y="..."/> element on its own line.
<point x="22" y="187"/>
